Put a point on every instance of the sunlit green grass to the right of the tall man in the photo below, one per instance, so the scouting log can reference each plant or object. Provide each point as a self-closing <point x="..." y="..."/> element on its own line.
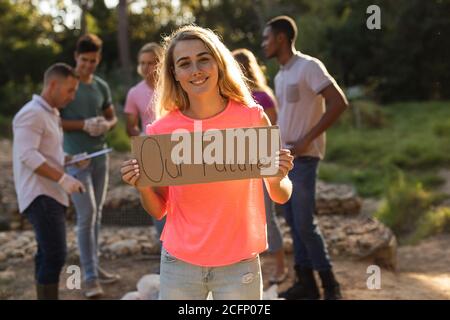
<point x="393" y="152"/>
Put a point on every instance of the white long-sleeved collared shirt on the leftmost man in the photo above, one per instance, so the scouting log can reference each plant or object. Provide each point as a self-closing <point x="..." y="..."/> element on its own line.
<point x="38" y="138"/>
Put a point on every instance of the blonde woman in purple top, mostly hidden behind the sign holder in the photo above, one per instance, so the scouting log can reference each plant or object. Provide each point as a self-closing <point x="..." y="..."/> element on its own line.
<point x="264" y="96"/>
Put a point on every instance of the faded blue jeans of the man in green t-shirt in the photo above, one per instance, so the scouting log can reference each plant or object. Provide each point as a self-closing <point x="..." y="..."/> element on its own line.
<point x="88" y="207"/>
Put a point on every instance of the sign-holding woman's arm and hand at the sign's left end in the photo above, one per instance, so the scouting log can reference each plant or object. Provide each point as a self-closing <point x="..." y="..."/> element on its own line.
<point x="153" y="199"/>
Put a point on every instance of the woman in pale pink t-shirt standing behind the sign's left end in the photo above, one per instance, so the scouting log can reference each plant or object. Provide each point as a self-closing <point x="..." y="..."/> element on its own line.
<point x="139" y="103"/>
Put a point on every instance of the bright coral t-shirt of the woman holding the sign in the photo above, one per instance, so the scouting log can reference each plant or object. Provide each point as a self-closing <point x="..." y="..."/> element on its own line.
<point x="219" y="223"/>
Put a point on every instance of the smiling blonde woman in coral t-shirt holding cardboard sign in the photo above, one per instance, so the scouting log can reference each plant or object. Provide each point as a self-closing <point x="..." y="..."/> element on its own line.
<point x="214" y="231"/>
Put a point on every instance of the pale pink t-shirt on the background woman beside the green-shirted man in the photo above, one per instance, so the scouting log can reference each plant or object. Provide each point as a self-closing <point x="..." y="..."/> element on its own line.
<point x="139" y="103"/>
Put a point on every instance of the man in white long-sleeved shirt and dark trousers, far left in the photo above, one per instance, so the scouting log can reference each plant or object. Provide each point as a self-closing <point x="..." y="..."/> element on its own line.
<point x="39" y="178"/>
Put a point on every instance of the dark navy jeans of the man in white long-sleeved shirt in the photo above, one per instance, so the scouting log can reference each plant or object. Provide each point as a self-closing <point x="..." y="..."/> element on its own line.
<point x="47" y="216"/>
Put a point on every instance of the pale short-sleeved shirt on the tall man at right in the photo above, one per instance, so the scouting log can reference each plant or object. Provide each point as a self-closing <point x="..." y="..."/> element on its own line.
<point x="297" y="86"/>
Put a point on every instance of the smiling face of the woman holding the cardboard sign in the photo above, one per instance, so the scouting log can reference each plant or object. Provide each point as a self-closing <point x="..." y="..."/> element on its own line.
<point x="195" y="68"/>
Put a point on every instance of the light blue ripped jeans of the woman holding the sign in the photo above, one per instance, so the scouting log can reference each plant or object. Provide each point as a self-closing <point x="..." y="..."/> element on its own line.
<point x="183" y="281"/>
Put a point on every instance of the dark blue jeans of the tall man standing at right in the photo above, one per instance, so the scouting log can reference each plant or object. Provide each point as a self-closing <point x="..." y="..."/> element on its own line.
<point x="309" y="247"/>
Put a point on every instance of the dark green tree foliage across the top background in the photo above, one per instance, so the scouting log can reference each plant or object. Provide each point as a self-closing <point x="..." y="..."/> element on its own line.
<point x="404" y="60"/>
